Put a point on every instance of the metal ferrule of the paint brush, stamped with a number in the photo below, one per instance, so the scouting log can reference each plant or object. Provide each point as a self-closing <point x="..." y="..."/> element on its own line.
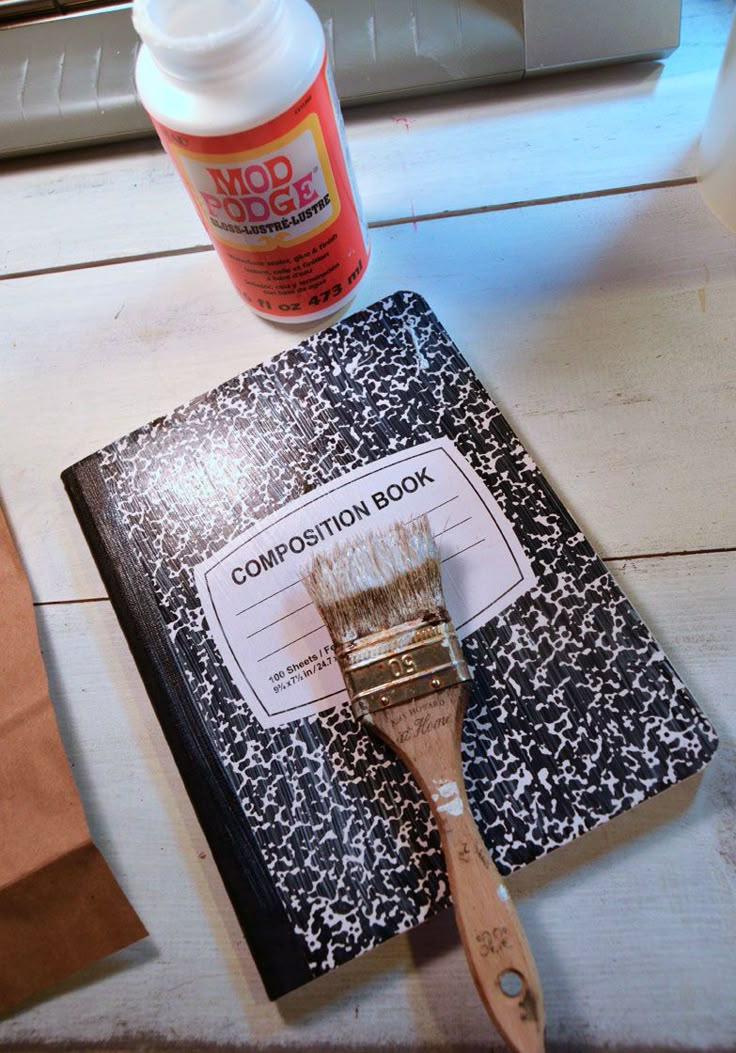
<point x="401" y="664"/>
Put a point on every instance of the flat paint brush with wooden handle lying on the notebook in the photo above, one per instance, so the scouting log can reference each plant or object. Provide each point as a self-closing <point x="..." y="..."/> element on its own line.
<point x="382" y="600"/>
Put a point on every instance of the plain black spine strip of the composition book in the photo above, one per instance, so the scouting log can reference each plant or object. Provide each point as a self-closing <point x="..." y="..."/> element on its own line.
<point x="279" y="952"/>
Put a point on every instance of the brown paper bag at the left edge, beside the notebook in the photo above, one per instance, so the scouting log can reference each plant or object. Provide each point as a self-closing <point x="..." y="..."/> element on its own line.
<point x="61" y="907"/>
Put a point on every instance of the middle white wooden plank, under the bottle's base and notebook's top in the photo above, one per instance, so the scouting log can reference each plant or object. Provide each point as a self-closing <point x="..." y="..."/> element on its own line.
<point x="604" y="328"/>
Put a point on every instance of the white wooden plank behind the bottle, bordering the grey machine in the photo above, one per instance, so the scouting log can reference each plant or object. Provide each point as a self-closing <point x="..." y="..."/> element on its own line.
<point x="579" y="133"/>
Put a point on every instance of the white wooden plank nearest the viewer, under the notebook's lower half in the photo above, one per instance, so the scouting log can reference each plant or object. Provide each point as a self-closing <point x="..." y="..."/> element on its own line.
<point x="633" y="926"/>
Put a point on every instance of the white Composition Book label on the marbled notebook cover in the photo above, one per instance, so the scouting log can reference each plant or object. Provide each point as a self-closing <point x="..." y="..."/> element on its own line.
<point x="269" y="633"/>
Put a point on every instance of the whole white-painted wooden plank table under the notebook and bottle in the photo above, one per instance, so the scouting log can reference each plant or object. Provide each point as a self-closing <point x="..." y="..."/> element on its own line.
<point x="556" y="229"/>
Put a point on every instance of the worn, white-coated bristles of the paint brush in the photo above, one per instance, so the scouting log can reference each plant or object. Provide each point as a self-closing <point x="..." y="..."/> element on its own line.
<point x="380" y="581"/>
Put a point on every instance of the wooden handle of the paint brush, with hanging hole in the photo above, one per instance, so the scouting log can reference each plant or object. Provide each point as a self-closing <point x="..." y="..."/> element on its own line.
<point x="426" y="733"/>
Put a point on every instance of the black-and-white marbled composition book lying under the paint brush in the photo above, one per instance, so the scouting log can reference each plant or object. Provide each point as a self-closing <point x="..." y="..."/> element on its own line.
<point x="201" y="523"/>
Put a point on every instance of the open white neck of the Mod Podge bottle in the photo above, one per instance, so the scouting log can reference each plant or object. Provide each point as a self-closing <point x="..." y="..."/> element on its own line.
<point x="193" y="41"/>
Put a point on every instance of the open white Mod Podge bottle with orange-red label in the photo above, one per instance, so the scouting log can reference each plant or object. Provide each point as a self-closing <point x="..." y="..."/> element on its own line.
<point x="243" y="98"/>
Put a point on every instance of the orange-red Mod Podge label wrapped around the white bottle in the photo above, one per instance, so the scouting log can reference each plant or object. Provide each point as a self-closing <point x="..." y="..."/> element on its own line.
<point x="279" y="204"/>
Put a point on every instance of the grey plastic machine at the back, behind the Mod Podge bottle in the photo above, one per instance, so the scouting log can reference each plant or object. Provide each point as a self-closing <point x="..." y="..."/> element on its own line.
<point x="67" y="66"/>
